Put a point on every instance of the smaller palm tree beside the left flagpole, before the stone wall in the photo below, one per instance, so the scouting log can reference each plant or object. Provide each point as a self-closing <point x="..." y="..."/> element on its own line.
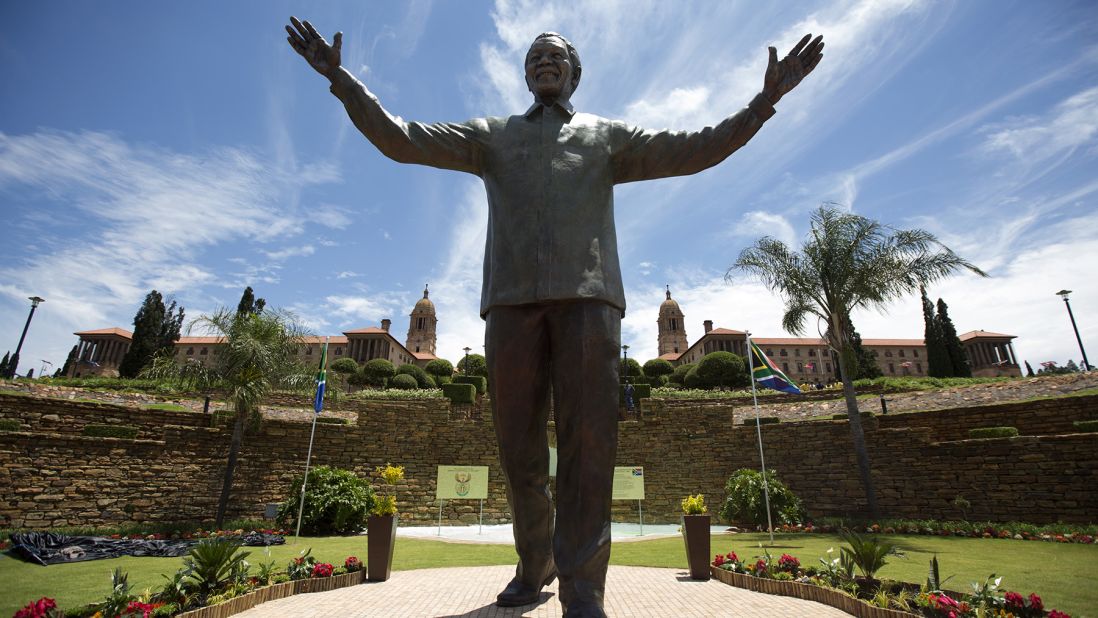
<point x="257" y="355"/>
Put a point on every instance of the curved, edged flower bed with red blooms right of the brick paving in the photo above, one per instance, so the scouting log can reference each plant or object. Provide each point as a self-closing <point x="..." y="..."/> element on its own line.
<point x="866" y="598"/>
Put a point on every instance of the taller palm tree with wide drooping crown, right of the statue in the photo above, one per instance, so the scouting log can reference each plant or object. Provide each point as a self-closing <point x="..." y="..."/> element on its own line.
<point x="848" y="263"/>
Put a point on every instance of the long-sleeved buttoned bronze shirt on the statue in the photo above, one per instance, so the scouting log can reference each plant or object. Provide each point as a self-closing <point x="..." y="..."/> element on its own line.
<point x="550" y="175"/>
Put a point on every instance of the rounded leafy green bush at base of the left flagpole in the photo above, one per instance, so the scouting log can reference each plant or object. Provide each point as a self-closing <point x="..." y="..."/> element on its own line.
<point x="337" y="502"/>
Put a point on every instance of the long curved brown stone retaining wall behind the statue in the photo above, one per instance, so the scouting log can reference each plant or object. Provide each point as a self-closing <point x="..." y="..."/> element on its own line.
<point x="50" y="476"/>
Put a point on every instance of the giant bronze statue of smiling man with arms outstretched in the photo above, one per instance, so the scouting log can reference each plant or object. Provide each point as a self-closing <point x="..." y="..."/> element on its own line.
<point x="553" y="296"/>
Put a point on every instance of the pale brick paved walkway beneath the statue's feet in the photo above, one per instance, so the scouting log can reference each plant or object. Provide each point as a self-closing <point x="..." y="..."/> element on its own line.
<point x="470" y="592"/>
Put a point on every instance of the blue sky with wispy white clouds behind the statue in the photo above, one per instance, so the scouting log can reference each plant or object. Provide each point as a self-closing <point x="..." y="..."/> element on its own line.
<point x="186" y="148"/>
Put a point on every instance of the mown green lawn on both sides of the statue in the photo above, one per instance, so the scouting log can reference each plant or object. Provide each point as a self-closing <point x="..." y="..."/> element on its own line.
<point x="1062" y="575"/>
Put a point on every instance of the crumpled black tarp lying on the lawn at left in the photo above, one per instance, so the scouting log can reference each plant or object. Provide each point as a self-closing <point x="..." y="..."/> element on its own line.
<point x="50" y="548"/>
